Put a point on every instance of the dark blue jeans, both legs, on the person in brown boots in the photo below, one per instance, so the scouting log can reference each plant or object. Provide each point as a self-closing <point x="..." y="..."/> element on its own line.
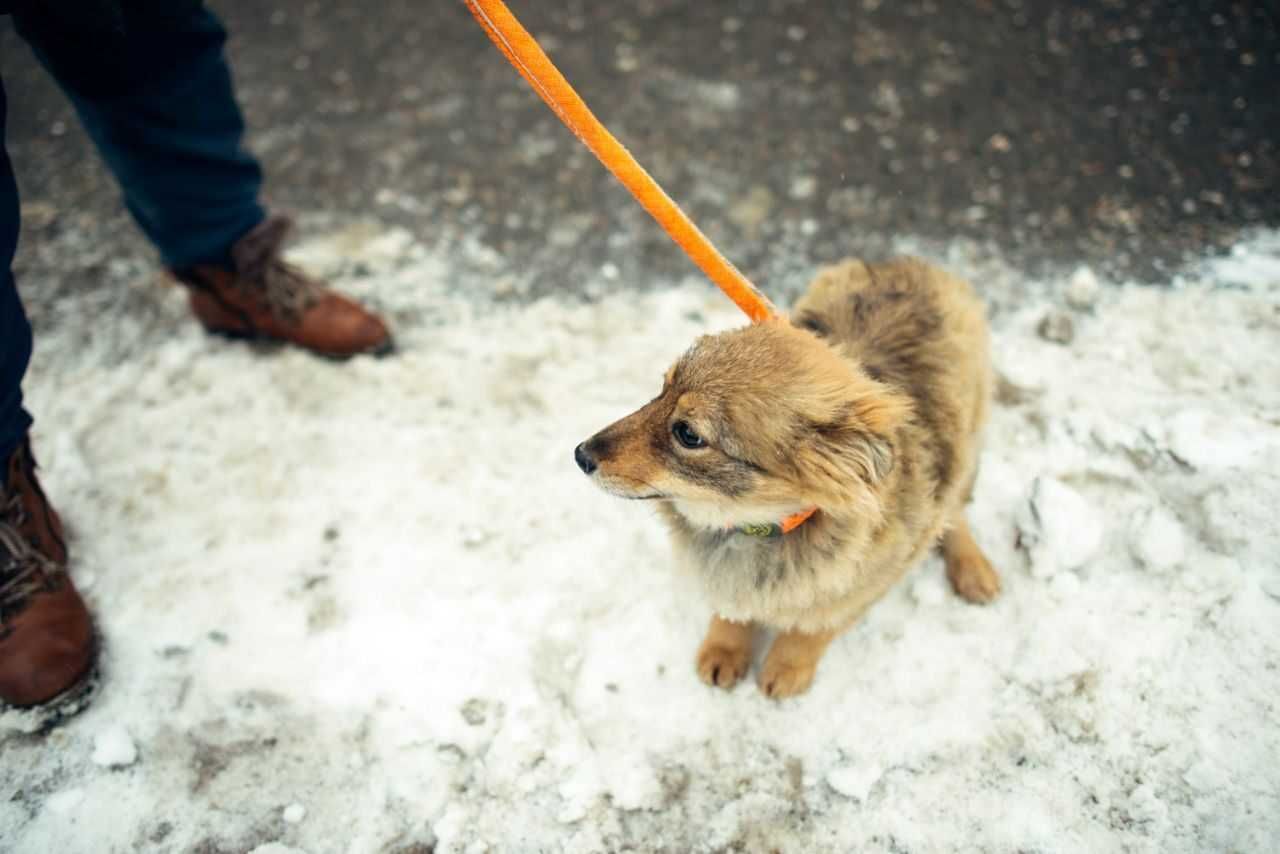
<point x="156" y="95"/>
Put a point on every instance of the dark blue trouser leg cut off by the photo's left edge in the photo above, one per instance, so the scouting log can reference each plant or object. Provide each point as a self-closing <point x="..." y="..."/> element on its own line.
<point x="15" y="330"/>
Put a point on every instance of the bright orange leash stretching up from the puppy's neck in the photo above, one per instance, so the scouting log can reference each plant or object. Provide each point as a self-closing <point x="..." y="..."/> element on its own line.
<point x="528" y="58"/>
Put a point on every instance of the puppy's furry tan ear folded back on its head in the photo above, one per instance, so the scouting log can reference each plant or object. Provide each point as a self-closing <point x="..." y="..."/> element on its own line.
<point x="853" y="447"/>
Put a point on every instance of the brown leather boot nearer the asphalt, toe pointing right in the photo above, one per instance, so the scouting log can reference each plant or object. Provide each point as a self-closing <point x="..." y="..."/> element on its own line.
<point x="264" y="298"/>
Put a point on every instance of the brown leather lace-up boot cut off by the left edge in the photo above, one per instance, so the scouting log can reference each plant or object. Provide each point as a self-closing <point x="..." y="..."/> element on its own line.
<point x="47" y="637"/>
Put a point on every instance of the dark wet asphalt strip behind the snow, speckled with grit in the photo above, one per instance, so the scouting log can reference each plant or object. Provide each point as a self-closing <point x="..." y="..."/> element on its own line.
<point x="1128" y="135"/>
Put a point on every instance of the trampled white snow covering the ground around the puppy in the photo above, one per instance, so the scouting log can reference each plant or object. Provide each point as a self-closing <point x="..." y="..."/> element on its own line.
<point x="374" y="608"/>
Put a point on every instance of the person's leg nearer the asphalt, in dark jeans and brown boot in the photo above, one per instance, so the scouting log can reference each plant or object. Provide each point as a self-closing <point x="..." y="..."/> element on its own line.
<point x="156" y="94"/>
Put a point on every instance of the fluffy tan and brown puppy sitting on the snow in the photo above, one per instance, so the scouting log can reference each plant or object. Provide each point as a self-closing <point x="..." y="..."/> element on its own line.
<point x="803" y="467"/>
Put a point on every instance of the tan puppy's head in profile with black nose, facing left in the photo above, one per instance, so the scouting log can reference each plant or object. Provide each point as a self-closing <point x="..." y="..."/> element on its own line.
<point x="753" y="424"/>
